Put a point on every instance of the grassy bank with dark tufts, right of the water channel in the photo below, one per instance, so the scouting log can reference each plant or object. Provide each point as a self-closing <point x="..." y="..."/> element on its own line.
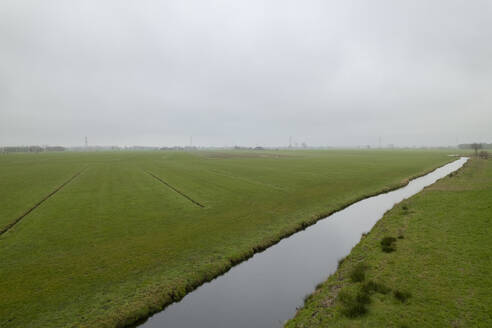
<point x="439" y="273"/>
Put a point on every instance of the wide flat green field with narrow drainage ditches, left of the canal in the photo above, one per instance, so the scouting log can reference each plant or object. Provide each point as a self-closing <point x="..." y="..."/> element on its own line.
<point x="128" y="235"/>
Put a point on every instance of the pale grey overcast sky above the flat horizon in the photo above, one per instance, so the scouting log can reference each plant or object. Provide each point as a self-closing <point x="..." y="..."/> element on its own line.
<point x="252" y="72"/>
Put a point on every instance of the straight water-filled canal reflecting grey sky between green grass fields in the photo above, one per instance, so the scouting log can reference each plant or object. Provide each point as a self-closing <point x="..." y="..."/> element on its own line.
<point x="265" y="290"/>
